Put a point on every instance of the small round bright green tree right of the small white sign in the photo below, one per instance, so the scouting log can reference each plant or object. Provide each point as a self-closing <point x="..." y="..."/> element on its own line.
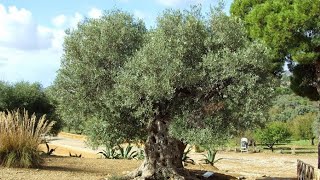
<point x="274" y="132"/>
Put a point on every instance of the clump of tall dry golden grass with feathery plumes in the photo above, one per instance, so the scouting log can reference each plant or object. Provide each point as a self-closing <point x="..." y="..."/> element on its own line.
<point x="20" y="136"/>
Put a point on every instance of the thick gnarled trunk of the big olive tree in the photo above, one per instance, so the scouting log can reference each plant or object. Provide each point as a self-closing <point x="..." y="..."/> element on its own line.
<point x="163" y="154"/>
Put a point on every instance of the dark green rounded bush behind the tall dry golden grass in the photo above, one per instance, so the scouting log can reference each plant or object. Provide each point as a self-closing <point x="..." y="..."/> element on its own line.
<point x="30" y="97"/>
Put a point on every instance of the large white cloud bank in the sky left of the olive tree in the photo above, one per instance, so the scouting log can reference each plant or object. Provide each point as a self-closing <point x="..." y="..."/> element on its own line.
<point x="31" y="51"/>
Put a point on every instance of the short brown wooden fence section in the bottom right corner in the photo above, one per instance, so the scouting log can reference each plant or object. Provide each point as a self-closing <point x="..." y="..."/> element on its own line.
<point x="306" y="171"/>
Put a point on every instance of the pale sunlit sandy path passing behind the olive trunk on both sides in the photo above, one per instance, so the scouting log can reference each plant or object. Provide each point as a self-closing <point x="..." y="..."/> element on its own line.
<point x="249" y="165"/>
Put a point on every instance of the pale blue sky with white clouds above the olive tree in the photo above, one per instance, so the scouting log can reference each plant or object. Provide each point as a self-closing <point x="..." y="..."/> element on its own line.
<point x="32" y="31"/>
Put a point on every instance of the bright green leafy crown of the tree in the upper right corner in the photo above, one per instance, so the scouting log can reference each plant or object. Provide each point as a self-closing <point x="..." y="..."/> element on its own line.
<point x="292" y="30"/>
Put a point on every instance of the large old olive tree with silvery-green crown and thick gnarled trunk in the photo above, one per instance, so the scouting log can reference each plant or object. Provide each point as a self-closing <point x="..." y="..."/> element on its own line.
<point x="188" y="80"/>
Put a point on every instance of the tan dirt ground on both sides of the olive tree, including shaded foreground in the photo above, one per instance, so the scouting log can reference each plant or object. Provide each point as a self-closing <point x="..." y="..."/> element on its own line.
<point x="92" y="167"/>
